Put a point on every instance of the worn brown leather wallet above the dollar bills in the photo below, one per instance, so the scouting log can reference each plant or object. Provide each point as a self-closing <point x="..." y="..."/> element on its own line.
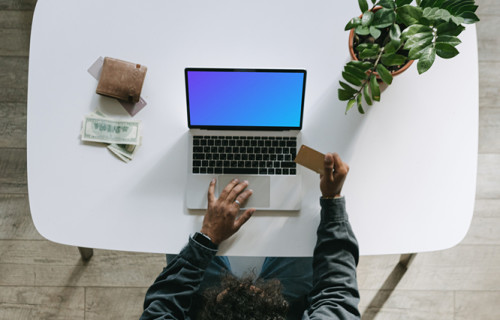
<point x="121" y="79"/>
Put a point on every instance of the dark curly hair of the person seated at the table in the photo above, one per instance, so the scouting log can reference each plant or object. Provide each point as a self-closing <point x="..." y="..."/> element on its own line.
<point x="244" y="299"/>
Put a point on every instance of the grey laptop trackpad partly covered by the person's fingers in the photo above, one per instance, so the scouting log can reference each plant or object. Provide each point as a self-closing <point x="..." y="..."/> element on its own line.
<point x="261" y="187"/>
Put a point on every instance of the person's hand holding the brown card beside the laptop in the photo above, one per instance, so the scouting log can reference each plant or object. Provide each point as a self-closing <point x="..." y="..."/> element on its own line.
<point x="333" y="180"/>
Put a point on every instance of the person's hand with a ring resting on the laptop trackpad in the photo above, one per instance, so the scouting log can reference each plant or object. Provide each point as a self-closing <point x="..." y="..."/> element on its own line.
<point x="221" y="219"/>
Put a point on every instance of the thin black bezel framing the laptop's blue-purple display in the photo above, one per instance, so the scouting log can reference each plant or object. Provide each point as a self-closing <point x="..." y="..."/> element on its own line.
<point x="250" y="128"/>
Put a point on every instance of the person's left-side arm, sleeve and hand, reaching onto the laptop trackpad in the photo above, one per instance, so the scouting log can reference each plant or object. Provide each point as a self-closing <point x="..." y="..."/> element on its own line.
<point x="171" y="295"/>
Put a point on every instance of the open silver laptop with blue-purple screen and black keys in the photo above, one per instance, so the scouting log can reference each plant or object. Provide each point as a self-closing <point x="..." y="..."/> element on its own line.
<point x="245" y="124"/>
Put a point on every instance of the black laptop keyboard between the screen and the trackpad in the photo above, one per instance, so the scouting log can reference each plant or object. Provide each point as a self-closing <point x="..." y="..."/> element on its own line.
<point x="244" y="155"/>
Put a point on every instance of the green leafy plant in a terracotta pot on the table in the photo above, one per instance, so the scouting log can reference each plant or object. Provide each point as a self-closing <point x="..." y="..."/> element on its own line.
<point x="390" y="35"/>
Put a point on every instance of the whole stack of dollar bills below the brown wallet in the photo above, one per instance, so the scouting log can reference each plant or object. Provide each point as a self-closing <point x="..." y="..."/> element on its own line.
<point x="122" y="137"/>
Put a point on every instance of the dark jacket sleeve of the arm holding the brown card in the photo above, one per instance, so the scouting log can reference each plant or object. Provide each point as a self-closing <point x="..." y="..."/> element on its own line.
<point x="335" y="292"/>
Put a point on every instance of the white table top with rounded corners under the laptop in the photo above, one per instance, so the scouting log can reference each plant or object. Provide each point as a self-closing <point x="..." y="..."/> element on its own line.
<point x="411" y="187"/>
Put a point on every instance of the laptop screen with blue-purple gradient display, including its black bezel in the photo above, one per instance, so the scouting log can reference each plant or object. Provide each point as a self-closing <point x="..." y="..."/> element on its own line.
<point x="251" y="99"/>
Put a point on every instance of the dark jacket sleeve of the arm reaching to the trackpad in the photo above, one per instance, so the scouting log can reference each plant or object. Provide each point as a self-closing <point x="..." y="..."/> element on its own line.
<point x="172" y="293"/>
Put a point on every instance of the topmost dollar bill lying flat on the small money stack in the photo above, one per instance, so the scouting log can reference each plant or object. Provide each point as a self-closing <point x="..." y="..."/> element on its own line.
<point x="98" y="129"/>
